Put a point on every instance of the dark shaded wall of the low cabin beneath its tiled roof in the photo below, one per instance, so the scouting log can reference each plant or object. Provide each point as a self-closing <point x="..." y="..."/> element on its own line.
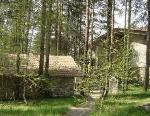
<point x="12" y="88"/>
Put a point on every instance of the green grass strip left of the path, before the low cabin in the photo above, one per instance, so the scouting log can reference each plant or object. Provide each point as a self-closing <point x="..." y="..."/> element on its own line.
<point x="46" y="107"/>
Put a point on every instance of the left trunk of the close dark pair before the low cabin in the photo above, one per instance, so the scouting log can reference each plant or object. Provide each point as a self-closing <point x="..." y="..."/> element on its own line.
<point x="42" y="38"/>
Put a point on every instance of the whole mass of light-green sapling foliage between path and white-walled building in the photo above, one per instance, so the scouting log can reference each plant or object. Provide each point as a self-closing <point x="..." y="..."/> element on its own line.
<point x="120" y="68"/>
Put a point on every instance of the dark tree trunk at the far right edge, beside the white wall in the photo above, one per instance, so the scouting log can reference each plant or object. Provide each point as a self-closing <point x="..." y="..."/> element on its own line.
<point x="146" y="83"/>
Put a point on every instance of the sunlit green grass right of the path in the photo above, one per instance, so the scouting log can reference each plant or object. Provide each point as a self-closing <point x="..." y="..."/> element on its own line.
<point x="124" y="104"/>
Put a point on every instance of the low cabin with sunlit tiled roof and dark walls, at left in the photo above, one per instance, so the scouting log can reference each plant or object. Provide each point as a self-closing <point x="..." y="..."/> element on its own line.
<point x="63" y="72"/>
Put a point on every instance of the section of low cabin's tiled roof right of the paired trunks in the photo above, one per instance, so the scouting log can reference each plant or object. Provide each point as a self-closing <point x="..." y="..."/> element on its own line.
<point x="63" y="66"/>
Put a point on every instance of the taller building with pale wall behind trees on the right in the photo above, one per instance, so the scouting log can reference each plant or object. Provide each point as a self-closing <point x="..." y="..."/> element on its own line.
<point x="137" y="43"/>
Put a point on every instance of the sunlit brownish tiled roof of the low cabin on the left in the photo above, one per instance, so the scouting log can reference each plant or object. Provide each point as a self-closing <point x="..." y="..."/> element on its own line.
<point x="63" y="66"/>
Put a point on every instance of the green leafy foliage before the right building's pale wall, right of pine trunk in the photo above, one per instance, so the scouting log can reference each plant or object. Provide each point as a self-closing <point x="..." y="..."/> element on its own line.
<point x="122" y="64"/>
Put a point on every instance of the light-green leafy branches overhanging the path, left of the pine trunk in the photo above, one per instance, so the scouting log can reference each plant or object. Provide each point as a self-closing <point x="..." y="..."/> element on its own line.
<point x="95" y="79"/>
